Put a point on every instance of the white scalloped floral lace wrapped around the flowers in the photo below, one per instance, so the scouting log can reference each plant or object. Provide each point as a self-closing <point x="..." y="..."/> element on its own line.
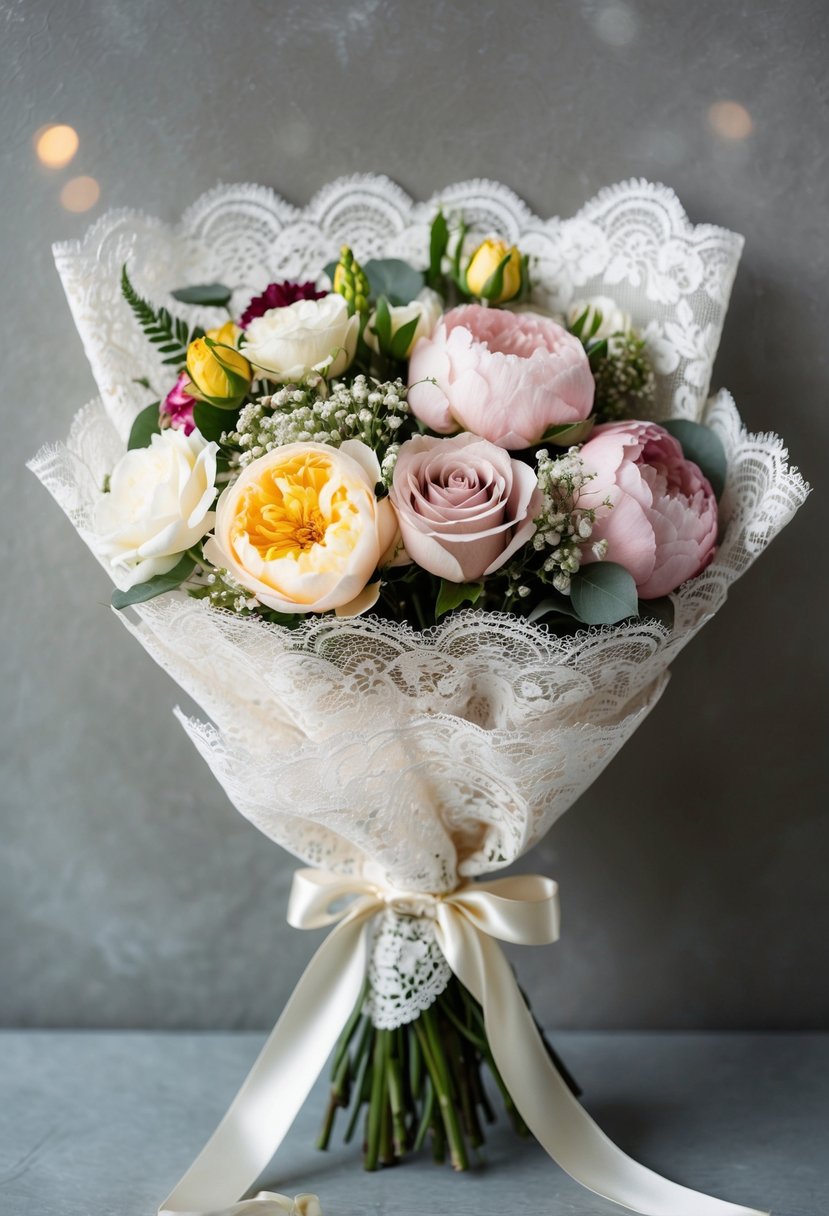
<point x="363" y="746"/>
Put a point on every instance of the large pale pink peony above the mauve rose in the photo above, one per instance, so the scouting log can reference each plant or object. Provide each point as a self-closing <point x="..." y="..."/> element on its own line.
<point x="505" y="376"/>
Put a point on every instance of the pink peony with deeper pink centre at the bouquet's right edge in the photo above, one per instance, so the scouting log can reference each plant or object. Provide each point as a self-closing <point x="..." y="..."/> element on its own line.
<point x="663" y="525"/>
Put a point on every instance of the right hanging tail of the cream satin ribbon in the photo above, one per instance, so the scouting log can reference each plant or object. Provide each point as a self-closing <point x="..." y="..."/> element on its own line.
<point x="557" y="1121"/>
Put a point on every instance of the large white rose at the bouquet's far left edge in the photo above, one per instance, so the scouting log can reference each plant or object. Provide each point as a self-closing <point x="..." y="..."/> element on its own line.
<point x="157" y="508"/>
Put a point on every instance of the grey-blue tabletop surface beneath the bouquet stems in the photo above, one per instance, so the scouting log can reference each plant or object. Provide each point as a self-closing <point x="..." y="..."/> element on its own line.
<point x="104" y="1124"/>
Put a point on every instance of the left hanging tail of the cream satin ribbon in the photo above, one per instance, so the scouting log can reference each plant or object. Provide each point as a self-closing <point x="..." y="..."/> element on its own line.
<point x="278" y="1085"/>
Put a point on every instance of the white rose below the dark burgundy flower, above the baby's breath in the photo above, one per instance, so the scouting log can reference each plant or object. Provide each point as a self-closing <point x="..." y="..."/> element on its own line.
<point x="287" y="344"/>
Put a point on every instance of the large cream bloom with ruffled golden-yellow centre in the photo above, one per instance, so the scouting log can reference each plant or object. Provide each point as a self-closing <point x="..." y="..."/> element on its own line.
<point x="303" y="531"/>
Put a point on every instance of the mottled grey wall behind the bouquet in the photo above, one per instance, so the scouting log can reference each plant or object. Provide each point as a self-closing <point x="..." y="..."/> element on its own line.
<point x="693" y="872"/>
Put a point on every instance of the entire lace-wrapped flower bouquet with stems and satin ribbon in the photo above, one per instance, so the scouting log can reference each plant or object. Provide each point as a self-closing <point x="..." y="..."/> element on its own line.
<point x="419" y="503"/>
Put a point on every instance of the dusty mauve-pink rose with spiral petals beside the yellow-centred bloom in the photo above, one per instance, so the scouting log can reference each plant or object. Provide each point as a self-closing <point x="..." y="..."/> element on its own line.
<point x="464" y="505"/>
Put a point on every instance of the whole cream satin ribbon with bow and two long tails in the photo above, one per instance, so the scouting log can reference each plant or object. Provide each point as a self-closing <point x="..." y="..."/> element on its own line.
<point x="522" y="910"/>
